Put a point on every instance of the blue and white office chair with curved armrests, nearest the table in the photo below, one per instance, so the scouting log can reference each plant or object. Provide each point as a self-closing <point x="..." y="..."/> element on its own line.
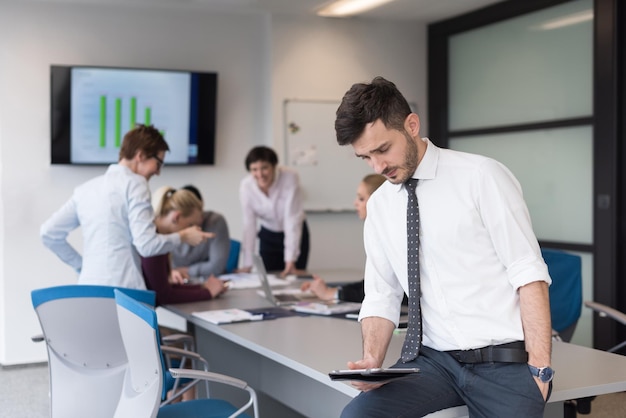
<point x="143" y="385"/>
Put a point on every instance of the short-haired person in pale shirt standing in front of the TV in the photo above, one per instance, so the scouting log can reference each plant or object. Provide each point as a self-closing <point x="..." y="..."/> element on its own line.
<point x="116" y="216"/>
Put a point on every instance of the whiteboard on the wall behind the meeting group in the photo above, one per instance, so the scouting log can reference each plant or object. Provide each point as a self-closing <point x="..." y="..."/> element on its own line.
<point x="329" y="173"/>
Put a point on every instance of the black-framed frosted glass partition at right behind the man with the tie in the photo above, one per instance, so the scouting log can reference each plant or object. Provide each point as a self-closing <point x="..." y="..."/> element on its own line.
<point x="520" y="89"/>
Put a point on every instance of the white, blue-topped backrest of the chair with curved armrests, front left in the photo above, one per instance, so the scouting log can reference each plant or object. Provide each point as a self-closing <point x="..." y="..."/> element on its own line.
<point x="143" y="387"/>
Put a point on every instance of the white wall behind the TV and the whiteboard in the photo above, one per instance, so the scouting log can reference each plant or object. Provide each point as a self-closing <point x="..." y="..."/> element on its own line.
<point x="260" y="61"/>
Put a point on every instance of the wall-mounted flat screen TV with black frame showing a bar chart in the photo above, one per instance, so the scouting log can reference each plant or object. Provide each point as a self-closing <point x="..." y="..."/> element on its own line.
<point x="93" y="107"/>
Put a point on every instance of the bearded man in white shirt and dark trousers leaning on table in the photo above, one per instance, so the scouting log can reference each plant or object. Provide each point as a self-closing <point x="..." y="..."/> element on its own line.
<point x="485" y="316"/>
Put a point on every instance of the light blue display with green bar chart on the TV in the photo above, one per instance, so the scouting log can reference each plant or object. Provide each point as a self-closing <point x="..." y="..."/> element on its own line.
<point x="106" y="103"/>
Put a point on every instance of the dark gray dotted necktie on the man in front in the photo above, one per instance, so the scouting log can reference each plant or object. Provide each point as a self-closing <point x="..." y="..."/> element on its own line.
<point x="413" y="341"/>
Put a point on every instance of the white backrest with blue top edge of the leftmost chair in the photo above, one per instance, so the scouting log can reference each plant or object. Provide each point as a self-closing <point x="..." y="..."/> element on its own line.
<point x="86" y="357"/>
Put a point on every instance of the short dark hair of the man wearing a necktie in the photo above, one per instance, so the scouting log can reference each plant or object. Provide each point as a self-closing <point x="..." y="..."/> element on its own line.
<point x="366" y="103"/>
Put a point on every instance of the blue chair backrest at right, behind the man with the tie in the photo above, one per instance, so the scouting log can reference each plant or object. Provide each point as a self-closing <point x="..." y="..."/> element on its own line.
<point x="565" y="291"/>
